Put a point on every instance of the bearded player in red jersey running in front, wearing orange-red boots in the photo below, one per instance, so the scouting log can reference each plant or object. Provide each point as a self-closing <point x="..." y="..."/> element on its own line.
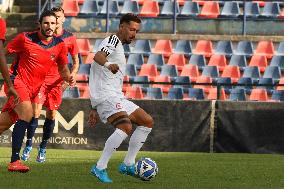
<point x="36" y="53"/>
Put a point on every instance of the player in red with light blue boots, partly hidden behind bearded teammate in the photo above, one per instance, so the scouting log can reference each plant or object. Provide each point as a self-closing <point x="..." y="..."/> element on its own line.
<point x="50" y="94"/>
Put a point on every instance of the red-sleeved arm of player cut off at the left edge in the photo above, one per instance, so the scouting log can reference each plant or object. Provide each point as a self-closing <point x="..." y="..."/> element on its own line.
<point x="3" y="63"/>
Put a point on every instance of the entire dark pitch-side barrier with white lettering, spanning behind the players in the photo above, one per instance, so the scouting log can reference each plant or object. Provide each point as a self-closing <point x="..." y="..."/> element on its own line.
<point x="251" y="127"/>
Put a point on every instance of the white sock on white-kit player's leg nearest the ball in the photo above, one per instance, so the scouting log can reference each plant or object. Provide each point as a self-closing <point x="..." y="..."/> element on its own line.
<point x="136" y="142"/>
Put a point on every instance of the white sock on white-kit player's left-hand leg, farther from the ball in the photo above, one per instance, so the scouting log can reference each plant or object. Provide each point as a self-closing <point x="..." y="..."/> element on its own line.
<point x="112" y="143"/>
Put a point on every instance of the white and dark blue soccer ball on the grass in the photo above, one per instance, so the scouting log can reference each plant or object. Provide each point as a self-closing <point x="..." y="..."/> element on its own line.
<point x="146" y="169"/>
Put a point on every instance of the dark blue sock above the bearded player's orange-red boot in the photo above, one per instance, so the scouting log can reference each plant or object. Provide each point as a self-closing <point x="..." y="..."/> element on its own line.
<point x="17" y="138"/>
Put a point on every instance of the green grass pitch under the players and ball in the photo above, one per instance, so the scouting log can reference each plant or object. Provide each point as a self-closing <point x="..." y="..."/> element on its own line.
<point x="71" y="169"/>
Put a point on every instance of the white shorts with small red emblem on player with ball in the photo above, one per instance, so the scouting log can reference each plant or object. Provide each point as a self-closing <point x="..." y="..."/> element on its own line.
<point x="114" y="105"/>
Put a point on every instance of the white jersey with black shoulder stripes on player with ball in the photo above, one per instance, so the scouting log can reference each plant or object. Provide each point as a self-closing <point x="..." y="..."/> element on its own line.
<point x="103" y="83"/>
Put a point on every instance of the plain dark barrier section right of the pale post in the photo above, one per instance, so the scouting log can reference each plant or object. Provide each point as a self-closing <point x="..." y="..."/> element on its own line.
<point x="251" y="127"/>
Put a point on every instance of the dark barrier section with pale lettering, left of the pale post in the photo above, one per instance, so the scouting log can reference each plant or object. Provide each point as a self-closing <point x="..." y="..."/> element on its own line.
<point x="179" y="126"/>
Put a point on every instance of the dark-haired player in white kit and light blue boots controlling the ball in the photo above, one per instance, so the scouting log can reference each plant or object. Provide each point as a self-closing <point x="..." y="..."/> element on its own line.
<point x="108" y="101"/>
